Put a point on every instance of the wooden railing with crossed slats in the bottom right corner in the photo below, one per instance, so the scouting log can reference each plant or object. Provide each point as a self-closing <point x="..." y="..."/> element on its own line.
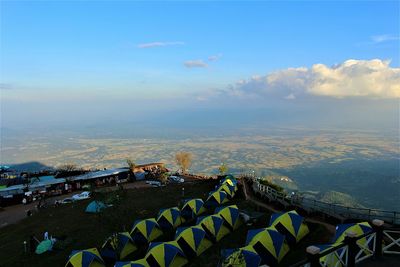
<point x="354" y="249"/>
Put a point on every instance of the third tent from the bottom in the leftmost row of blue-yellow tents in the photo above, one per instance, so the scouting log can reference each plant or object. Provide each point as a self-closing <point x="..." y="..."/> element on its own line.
<point x="144" y="231"/>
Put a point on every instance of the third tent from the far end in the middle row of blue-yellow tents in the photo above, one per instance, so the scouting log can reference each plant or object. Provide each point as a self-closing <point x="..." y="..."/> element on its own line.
<point x="192" y="240"/>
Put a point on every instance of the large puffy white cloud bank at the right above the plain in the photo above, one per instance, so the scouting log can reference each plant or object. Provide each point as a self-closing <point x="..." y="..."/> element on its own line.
<point x="353" y="78"/>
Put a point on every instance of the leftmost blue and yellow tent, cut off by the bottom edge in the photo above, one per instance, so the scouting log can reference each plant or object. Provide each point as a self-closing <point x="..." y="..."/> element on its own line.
<point x="85" y="258"/>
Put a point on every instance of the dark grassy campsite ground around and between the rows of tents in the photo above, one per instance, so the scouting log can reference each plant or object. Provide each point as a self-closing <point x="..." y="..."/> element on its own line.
<point x="78" y="230"/>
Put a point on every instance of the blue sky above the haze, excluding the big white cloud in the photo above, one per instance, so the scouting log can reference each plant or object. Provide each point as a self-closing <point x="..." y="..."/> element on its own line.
<point x="78" y="51"/>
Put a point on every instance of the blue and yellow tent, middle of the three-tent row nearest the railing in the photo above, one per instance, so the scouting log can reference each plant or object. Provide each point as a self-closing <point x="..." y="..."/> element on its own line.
<point x="268" y="243"/>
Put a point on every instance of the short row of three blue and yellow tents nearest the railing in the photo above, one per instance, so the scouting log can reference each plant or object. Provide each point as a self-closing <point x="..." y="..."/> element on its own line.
<point x="268" y="246"/>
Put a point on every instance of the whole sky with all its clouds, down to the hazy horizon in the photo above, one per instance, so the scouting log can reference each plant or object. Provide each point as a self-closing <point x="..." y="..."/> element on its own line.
<point x="295" y="62"/>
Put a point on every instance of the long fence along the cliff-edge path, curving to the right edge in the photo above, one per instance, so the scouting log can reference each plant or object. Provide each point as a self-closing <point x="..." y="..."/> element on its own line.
<point x="333" y="210"/>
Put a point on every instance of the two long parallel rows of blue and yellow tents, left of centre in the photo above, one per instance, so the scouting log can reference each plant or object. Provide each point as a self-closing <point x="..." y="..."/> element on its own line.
<point x="189" y="241"/>
